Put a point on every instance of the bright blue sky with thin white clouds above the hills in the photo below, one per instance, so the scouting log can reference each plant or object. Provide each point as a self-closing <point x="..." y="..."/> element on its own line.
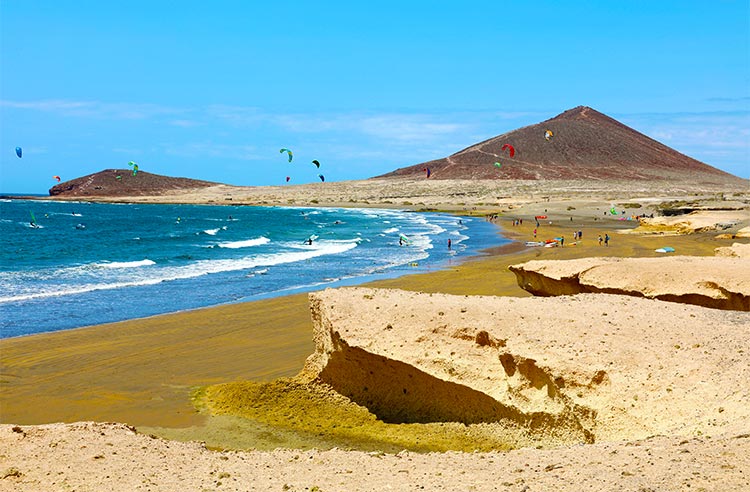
<point x="213" y="90"/>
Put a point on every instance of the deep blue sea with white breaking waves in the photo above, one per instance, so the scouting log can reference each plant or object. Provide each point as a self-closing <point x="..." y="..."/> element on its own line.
<point x="89" y="263"/>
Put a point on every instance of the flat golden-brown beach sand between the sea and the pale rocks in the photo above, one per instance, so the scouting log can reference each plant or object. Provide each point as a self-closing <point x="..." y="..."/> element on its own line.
<point x="142" y="372"/>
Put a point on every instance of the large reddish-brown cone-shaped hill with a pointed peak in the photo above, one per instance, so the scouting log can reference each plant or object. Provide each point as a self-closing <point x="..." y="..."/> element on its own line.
<point x="586" y="145"/>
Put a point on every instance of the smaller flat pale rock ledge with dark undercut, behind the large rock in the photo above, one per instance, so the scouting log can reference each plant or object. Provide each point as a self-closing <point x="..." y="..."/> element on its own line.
<point x="715" y="282"/>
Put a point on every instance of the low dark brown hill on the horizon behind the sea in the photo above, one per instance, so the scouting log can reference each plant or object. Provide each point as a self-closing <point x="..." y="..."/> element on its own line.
<point x="122" y="182"/>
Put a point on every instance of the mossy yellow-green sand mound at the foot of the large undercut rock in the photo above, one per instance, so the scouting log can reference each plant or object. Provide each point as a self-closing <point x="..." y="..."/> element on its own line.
<point x="317" y="414"/>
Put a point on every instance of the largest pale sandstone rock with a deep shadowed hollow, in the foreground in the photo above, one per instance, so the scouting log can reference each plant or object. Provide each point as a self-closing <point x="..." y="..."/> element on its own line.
<point x="544" y="370"/>
